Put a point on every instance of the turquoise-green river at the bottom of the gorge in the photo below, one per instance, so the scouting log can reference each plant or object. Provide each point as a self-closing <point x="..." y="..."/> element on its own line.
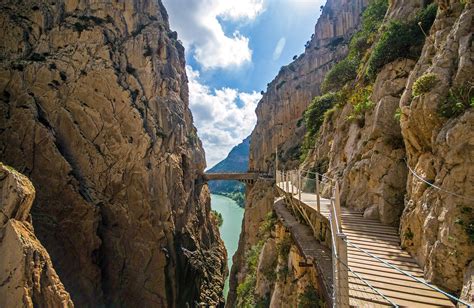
<point x="230" y="230"/>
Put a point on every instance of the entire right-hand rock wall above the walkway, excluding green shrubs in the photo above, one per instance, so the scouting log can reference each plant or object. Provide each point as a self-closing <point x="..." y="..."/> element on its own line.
<point x="401" y="131"/>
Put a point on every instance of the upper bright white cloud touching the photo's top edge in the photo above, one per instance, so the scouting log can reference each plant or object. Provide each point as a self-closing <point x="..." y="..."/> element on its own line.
<point x="197" y="23"/>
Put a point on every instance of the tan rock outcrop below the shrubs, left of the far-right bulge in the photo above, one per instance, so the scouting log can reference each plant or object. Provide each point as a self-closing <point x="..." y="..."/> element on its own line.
<point x="367" y="154"/>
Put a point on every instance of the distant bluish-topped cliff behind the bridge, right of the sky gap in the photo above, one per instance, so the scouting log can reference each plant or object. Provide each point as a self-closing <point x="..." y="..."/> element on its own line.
<point x="296" y="84"/>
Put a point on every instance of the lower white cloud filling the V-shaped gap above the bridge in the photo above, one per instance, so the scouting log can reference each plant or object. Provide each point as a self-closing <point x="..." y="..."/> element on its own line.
<point x="223" y="117"/>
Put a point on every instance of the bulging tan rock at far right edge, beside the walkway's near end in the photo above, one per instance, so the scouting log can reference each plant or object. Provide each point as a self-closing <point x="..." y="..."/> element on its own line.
<point x="436" y="226"/>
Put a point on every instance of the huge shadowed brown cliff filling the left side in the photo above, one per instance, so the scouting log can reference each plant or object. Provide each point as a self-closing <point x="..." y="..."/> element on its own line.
<point x="94" y="109"/>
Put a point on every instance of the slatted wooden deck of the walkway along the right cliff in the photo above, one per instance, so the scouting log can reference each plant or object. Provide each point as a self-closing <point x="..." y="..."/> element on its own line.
<point x="382" y="241"/>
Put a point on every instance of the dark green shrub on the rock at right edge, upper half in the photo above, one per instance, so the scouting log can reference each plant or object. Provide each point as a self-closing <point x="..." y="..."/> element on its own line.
<point x="459" y="99"/>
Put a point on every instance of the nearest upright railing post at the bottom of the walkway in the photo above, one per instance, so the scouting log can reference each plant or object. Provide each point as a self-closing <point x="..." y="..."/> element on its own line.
<point x="343" y="273"/>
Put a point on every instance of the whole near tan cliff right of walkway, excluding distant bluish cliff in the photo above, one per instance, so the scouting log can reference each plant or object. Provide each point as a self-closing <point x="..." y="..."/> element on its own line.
<point x="373" y="156"/>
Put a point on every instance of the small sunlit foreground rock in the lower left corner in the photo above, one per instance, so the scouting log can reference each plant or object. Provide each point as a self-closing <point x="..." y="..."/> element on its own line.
<point x="27" y="276"/>
